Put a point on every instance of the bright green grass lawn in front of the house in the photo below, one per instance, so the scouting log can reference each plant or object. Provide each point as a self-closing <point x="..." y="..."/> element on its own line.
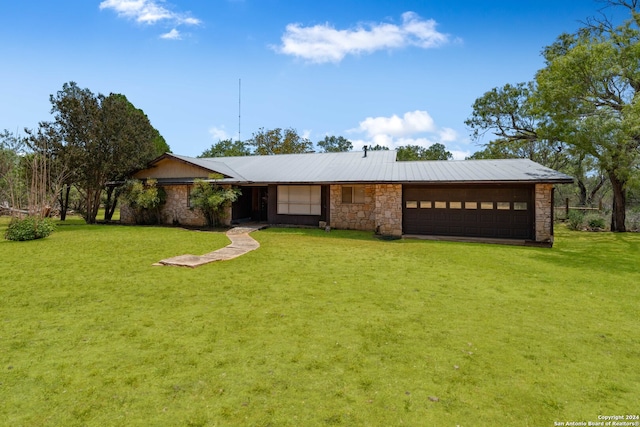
<point x="316" y="329"/>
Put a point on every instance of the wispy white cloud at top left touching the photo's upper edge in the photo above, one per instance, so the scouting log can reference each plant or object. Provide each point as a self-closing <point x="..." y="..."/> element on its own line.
<point x="147" y="12"/>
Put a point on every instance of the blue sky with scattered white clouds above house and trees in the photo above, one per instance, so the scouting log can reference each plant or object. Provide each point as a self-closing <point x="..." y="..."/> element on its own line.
<point x="389" y="72"/>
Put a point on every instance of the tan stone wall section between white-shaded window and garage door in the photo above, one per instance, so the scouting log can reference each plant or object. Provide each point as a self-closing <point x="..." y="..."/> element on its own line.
<point x="381" y="210"/>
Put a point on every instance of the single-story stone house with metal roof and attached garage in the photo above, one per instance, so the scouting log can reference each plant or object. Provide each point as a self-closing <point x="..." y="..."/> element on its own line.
<point x="370" y="190"/>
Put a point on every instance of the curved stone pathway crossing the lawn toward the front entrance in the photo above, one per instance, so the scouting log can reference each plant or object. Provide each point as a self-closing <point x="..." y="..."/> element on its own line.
<point x="241" y="243"/>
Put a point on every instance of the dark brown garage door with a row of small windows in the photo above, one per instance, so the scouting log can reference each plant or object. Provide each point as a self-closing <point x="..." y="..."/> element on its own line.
<point x="483" y="211"/>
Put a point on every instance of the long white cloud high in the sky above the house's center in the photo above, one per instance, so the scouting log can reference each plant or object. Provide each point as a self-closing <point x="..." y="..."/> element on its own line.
<point x="324" y="43"/>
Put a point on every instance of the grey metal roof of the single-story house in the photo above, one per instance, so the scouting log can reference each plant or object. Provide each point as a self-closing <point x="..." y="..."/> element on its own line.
<point x="375" y="167"/>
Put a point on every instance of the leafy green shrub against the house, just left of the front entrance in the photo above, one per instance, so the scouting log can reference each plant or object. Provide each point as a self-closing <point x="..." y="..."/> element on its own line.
<point x="212" y="199"/>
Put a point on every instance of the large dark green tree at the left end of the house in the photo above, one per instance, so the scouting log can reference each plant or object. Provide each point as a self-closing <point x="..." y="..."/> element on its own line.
<point x="101" y="139"/>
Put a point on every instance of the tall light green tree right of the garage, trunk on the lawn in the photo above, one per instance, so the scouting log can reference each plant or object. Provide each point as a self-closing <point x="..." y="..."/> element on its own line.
<point x="589" y="89"/>
